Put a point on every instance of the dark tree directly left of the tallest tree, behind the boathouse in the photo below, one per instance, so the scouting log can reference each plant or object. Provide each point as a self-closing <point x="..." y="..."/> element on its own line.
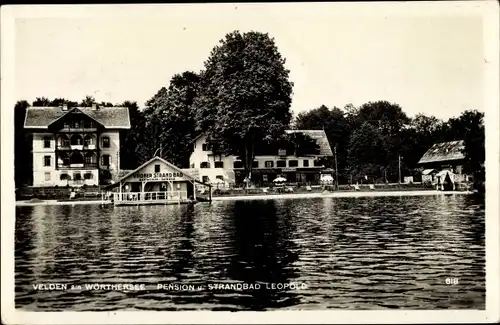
<point x="170" y="119"/>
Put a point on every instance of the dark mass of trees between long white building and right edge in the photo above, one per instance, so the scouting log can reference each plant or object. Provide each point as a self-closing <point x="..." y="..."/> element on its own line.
<point x="375" y="138"/>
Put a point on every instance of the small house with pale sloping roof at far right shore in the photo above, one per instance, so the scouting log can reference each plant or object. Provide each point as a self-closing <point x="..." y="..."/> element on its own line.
<point x="445" y="158"/>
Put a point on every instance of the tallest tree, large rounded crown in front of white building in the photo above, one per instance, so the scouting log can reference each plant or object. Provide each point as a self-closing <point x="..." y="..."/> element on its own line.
<point x="245" y="94"/>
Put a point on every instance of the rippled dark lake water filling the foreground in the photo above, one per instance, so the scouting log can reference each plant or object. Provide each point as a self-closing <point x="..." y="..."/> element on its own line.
<point x="345" y="253"/>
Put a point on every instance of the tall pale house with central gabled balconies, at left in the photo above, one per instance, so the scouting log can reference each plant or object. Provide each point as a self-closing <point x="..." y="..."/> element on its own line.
<point x="77" y="146"/>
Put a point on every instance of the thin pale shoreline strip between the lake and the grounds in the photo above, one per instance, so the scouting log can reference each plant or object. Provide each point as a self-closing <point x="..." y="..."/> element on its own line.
<point x="272" y="197"/>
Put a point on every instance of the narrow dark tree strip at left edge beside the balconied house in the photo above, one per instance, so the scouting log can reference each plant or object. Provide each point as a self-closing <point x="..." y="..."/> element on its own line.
<point x="23" y="159"/>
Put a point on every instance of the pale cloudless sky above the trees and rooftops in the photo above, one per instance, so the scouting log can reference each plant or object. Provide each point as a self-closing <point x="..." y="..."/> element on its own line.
<point x="426" y="63"/>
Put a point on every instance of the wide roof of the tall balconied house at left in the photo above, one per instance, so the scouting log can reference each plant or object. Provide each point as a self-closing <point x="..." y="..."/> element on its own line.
<point x="109" y="117"/>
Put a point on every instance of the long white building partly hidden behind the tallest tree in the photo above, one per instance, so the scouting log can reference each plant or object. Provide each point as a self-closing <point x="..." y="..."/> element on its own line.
<point x="208" y="166"/>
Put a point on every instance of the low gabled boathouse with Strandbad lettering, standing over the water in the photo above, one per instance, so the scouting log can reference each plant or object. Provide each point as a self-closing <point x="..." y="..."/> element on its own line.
<point x="155" y="182"/>
